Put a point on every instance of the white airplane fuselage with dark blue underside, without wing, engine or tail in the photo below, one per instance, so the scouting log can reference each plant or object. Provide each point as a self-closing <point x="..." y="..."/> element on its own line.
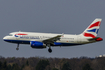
<point x="65" y="40"/>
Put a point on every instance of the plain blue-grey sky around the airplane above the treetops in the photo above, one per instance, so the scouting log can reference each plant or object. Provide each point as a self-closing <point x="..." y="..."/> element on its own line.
<point x="54" y="16"/>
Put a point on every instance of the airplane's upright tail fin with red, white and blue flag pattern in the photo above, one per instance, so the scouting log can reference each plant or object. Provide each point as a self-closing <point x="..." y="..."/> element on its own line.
<point x="93" y="28"/>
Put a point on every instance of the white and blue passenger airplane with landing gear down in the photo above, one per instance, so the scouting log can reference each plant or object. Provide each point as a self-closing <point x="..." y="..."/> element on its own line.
<point x="43" y="40"/>
